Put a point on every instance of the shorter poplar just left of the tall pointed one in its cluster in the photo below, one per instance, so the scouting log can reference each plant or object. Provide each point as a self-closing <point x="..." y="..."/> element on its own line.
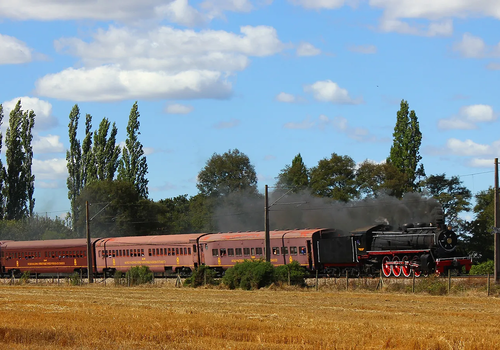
<point x="105" y="151"/>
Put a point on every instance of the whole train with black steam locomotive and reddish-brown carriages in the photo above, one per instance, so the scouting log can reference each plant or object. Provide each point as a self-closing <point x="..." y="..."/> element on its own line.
<point x="412" y="249"/>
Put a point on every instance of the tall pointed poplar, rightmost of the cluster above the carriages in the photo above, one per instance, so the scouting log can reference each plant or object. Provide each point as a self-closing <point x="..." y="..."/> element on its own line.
<point x="133" y="166"/>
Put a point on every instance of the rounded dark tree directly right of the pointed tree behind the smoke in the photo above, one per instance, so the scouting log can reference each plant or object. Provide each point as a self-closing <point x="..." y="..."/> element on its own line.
<point x="335" y="178"/>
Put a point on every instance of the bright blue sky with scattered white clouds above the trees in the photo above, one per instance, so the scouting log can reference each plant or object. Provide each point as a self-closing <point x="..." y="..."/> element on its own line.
<point x="269" y="78"/>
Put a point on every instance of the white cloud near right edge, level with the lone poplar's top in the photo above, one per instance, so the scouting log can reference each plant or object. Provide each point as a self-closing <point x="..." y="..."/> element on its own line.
<point x="468" y="117"/>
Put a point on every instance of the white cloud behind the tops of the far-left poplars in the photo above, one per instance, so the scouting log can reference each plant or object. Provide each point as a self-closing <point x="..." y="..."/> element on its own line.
<point x="43" y="120"/>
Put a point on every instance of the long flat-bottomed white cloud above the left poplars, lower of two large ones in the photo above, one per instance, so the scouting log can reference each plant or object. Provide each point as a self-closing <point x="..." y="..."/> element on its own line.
<point x="109" y="83"/>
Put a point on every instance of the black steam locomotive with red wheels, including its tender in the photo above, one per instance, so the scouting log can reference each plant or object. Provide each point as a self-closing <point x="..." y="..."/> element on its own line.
<point x="417" y="248"/>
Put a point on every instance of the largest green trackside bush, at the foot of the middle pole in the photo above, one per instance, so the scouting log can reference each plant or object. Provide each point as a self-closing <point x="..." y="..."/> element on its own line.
<point x="250" y="274"/>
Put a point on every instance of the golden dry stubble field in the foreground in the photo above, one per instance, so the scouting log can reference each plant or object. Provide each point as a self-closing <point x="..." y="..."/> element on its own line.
<point x="164" y="317"/>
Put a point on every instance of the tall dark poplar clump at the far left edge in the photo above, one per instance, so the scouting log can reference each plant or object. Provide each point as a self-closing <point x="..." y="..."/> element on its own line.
<point x="19" y="179"/>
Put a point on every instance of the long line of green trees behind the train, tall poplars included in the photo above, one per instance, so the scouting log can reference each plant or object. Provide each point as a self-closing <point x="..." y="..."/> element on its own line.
<point x="113" y="180"/>
